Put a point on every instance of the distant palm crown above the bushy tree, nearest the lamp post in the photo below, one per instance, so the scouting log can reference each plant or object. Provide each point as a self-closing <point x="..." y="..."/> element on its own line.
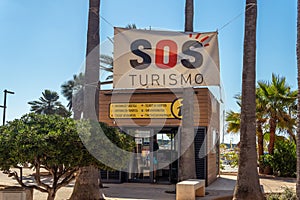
<point x="48" y="104"/>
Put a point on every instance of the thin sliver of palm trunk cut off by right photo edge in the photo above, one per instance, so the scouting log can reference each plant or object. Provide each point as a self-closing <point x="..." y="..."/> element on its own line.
<point x="298" y="104"/>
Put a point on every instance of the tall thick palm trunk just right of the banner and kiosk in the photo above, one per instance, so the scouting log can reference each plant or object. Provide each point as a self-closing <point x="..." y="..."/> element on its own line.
<point x="247" y="185"/>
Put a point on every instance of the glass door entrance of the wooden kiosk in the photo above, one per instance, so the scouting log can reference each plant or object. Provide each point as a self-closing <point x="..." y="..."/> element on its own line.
<point x="155" y="158"/>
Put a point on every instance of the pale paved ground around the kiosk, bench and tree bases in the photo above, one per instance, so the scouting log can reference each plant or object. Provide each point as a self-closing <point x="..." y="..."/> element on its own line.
<point x="224" y="185"/>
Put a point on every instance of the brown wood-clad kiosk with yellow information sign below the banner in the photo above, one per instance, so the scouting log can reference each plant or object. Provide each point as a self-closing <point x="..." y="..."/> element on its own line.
<point x="154" y="115"/>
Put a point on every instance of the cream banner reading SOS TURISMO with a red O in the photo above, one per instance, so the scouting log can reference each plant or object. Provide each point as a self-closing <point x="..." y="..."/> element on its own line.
<point x="165" y="59"/>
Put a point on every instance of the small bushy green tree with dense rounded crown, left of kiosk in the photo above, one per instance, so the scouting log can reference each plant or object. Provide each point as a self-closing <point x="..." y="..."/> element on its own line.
<point x="49" y="142"/>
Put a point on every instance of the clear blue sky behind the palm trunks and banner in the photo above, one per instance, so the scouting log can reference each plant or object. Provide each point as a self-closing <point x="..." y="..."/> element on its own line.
<point x="42" y="43"/>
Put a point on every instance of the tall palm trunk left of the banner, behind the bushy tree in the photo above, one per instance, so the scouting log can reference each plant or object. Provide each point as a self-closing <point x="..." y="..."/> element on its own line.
<point x="87" y="182"/>
